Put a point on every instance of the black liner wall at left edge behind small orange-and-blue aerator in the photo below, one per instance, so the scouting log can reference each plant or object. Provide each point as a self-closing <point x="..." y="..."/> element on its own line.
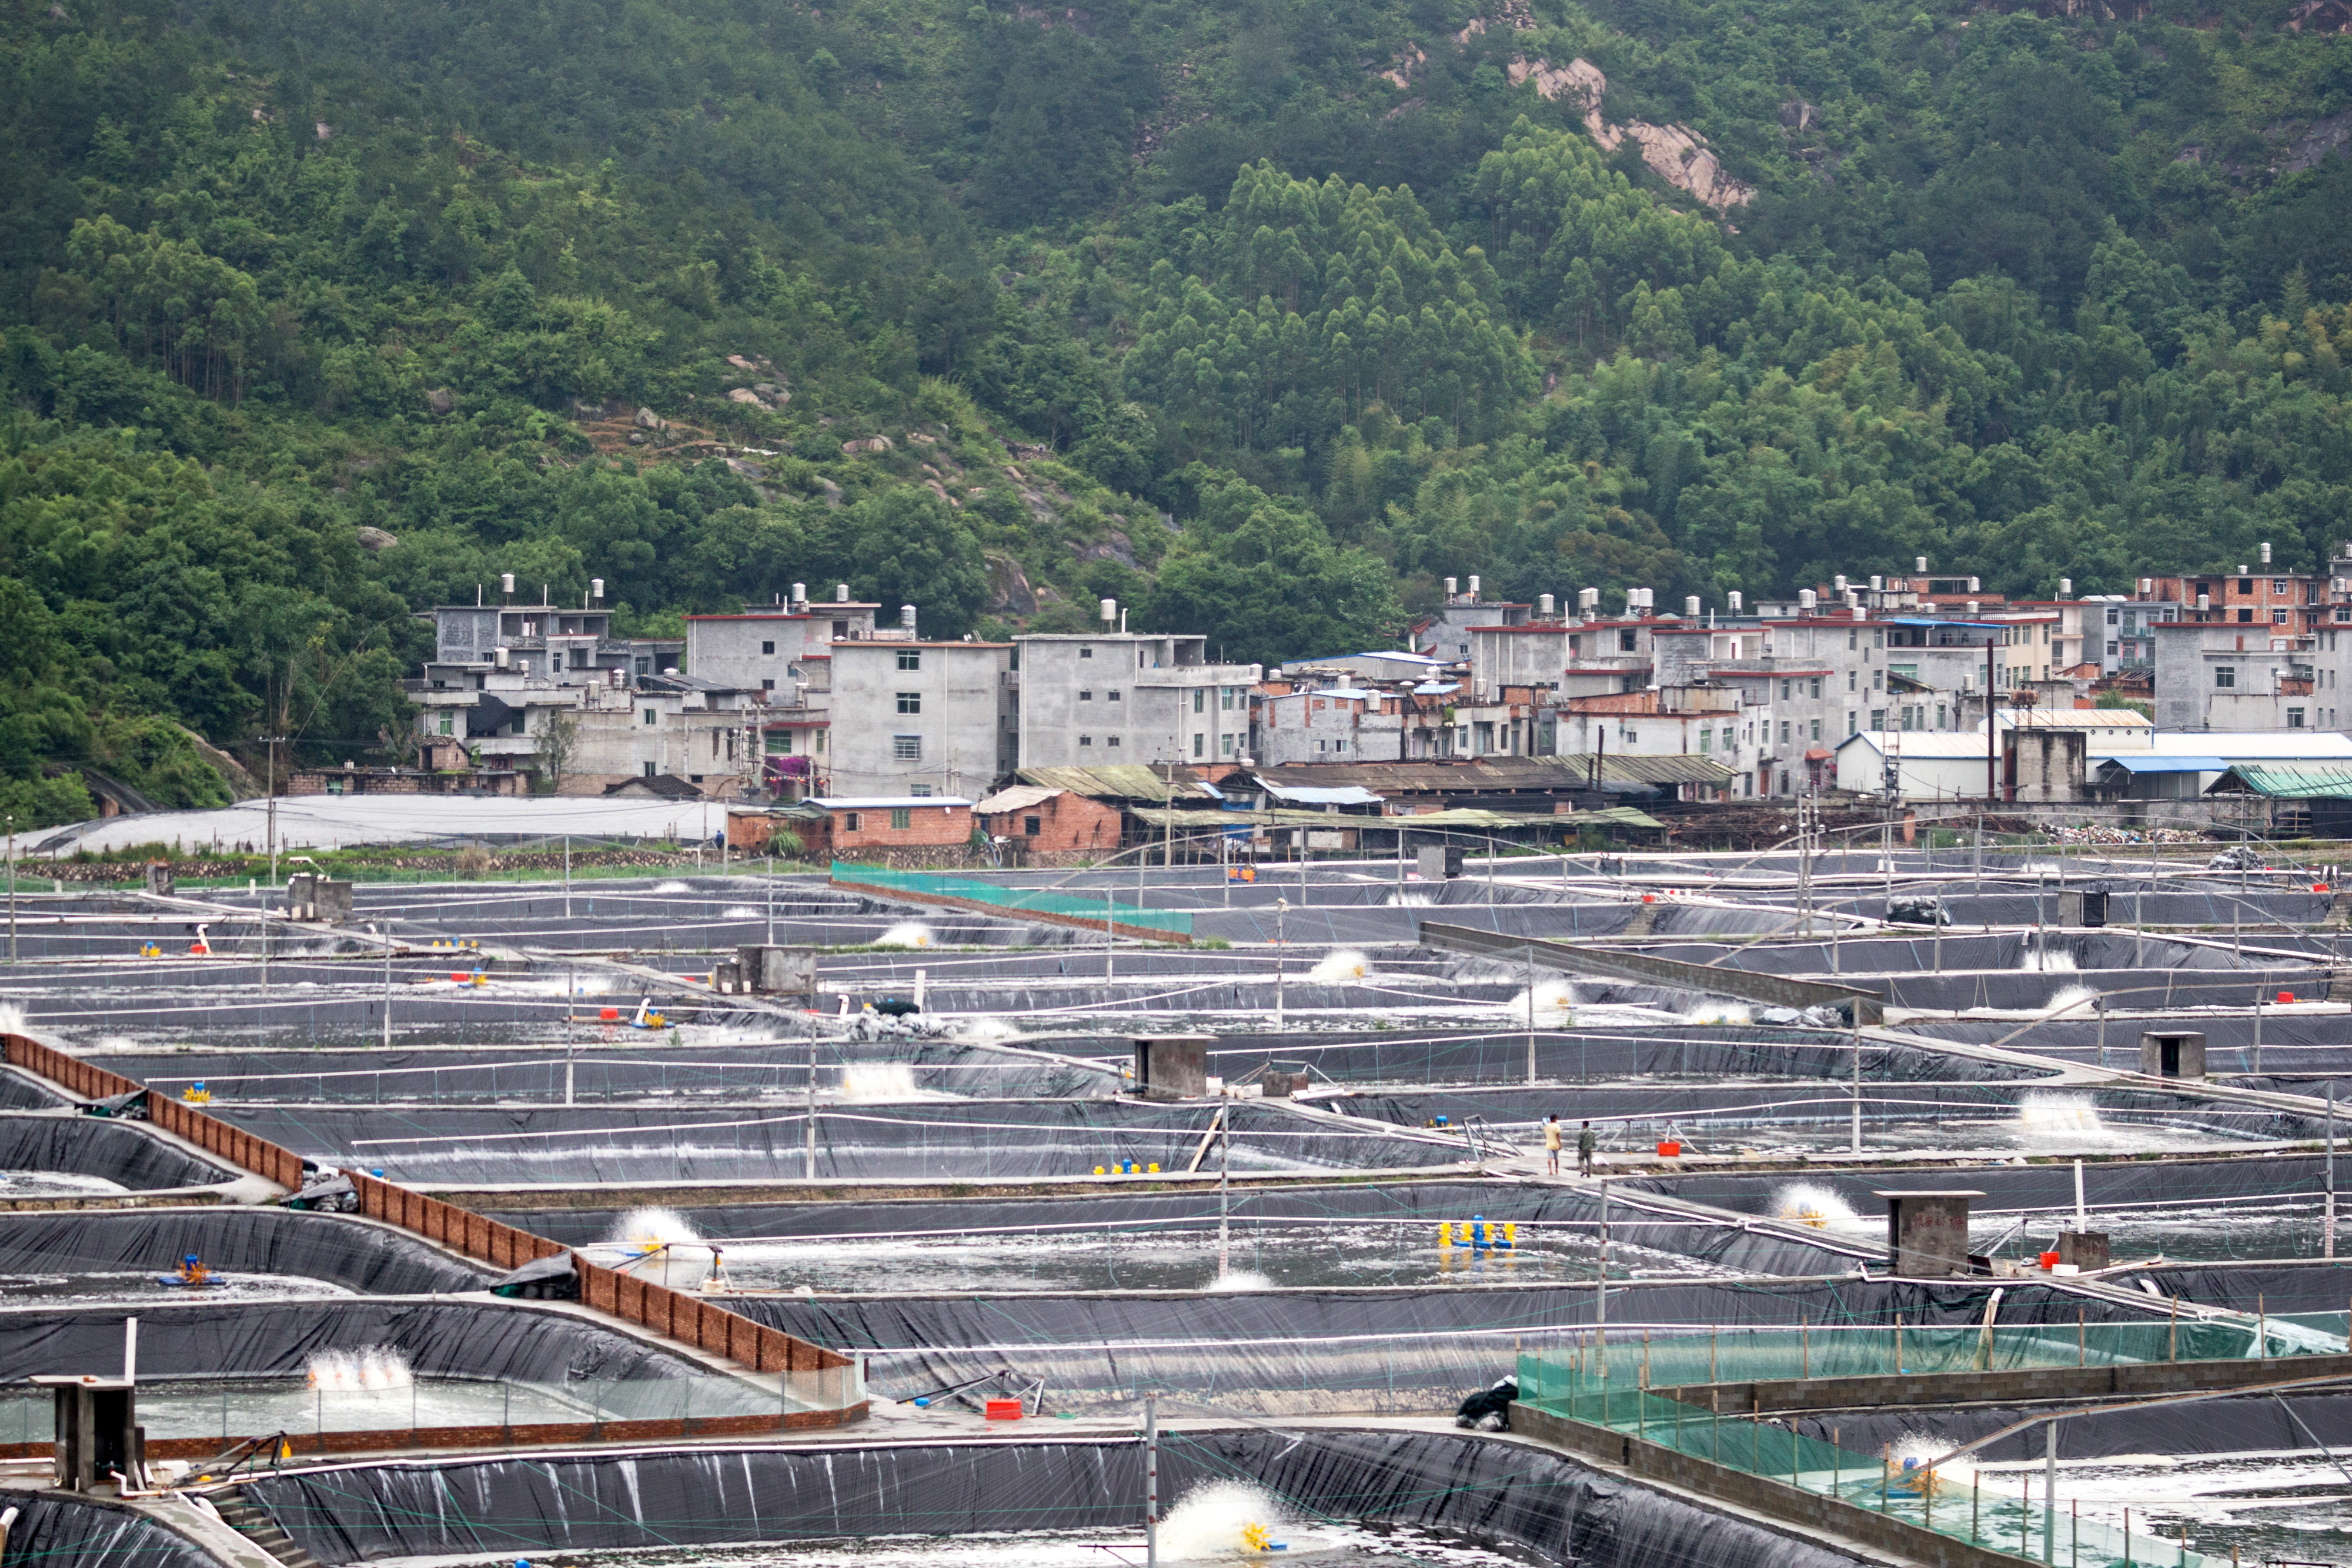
<point x="281" y="1242"/>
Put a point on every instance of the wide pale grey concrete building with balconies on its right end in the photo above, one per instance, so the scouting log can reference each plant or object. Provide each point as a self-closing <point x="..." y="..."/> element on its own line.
<point x="1128" y="697"/>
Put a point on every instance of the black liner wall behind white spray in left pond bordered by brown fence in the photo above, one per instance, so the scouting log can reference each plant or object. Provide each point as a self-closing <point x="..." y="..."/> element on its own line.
<point x="448" y="1339"/>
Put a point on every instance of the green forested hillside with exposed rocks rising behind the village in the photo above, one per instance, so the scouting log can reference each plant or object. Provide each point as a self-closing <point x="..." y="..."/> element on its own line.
<point x="1257" y="319"/>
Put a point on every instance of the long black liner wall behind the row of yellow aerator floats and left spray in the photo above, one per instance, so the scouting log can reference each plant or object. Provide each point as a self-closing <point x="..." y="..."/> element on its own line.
<point x="1405" y="1205"/>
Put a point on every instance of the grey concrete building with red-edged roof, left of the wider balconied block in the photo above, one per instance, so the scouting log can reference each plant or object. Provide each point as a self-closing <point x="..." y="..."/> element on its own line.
<point x="918" y="718"/>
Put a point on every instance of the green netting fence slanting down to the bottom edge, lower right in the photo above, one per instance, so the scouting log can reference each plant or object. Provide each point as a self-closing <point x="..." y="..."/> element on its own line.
<point x="1951" y="1501"/>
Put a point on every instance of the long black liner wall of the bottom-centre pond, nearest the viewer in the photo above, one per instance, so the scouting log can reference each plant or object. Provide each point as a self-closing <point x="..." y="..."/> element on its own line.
<point x="1469" y="1487"/>
